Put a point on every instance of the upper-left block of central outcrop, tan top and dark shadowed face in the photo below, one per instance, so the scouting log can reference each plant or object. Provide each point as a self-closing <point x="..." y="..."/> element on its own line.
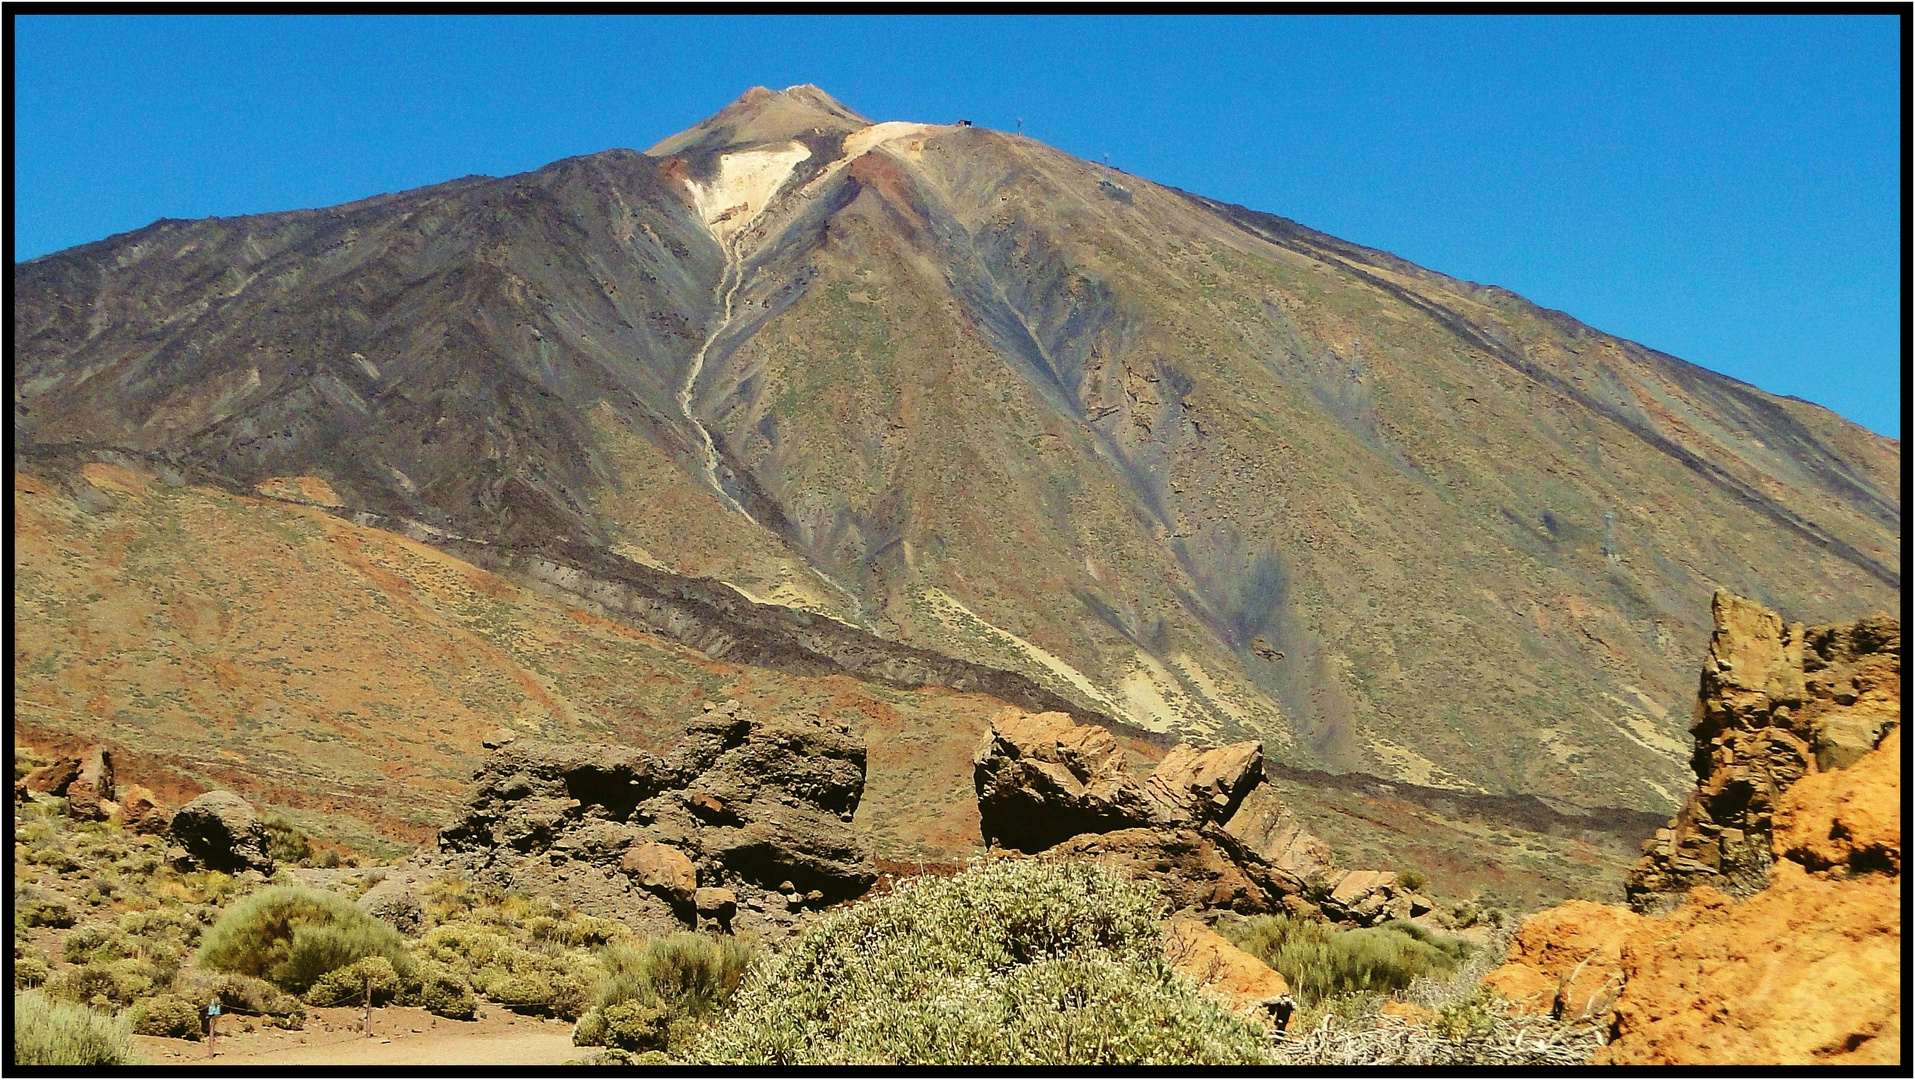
<point x="1043" y="778"/>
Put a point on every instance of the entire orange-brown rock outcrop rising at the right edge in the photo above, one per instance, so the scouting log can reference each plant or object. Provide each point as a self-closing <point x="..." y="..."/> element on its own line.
<point x="1805" y="970"/>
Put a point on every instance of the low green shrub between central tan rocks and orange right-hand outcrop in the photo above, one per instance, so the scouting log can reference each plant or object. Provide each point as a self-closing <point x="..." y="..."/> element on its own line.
<point x="1324" y="962"/>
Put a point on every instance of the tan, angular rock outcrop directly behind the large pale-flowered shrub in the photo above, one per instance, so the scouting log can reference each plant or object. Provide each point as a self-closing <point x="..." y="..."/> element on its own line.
<point x="1047" y="784"/>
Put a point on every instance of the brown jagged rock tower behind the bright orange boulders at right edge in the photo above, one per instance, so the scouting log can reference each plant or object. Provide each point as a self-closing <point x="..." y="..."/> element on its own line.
<point x="1776" y="704"/>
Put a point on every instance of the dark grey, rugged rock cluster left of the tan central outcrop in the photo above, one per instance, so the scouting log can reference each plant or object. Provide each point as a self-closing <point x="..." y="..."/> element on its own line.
<point x="746" y="821"/>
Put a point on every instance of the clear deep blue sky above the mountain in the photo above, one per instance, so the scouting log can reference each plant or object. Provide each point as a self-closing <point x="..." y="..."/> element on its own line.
<point x="1726" y="191"/>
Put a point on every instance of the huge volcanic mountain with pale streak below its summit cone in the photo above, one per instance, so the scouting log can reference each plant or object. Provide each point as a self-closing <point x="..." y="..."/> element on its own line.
<point x="935" y="392"/>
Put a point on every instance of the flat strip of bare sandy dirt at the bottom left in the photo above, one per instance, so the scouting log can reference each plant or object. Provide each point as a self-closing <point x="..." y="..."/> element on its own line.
<point x="399" y="1037"/>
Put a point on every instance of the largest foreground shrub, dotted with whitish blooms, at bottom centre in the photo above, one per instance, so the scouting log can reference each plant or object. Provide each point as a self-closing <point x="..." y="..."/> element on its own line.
<point x="1012" y="962"/>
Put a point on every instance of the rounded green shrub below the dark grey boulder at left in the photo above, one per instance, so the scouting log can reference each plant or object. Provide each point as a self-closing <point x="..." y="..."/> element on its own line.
<point x="292" y="937"/>
